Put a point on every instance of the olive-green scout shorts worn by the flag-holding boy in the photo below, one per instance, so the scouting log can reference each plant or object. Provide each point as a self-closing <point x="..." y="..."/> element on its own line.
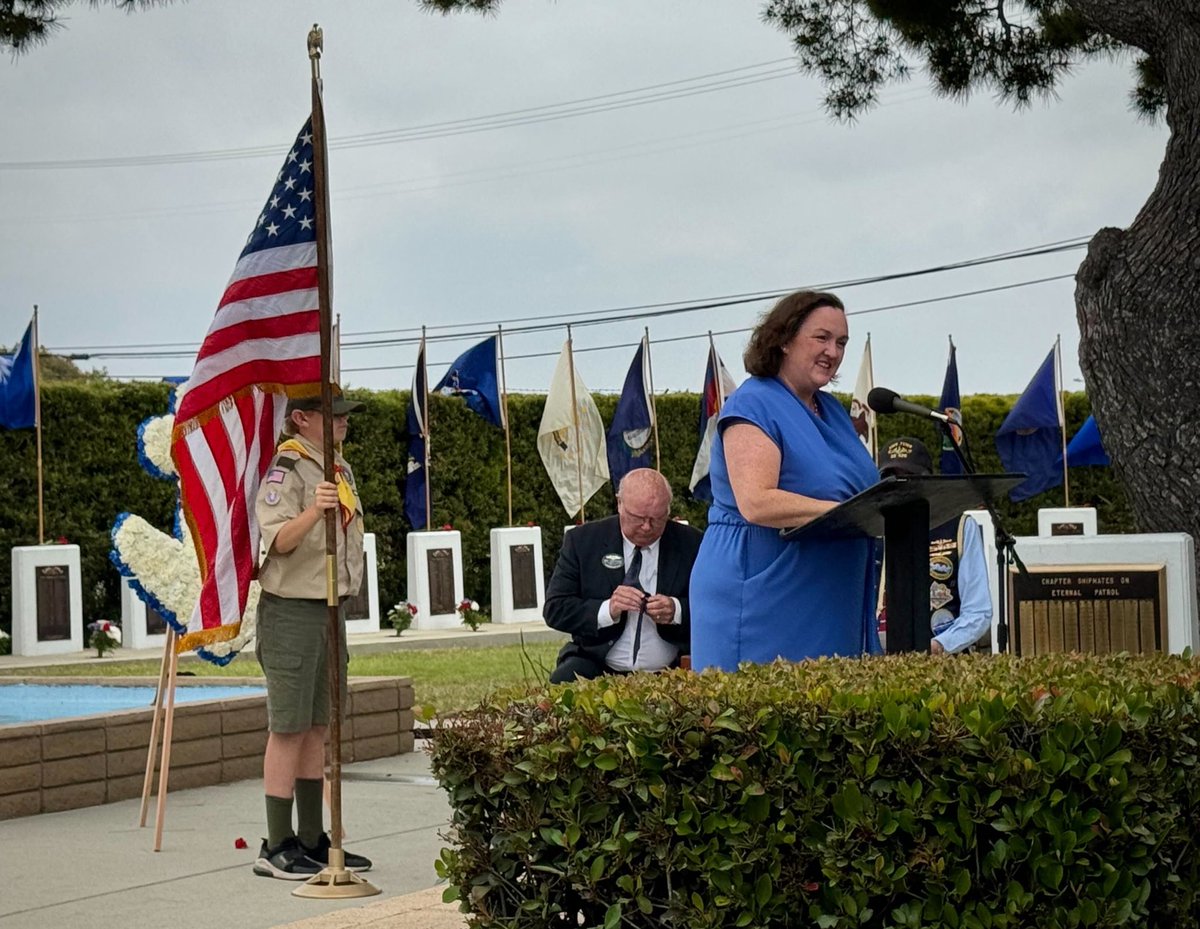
<point x="293" y="649"/>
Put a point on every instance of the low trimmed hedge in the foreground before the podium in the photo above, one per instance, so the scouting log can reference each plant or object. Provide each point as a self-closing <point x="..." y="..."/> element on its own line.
<point x="905" y="792"/>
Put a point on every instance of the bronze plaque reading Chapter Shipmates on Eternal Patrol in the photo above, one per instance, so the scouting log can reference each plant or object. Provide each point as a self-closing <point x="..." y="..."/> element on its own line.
<point x="1091" y="609"/>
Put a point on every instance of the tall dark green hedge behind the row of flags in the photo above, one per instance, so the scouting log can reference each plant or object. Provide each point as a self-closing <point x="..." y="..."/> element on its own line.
<point x="92" y="474"/>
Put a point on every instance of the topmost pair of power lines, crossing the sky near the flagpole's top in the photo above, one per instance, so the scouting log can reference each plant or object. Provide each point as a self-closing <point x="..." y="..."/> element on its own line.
<point x="507" y="119"/>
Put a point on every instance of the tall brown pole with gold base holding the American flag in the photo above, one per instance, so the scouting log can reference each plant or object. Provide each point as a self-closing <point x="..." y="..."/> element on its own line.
<point x="334" y="882"/>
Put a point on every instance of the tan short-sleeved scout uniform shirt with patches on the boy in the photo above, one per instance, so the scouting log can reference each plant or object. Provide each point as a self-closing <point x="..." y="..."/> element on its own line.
<point x="286" y="492"/>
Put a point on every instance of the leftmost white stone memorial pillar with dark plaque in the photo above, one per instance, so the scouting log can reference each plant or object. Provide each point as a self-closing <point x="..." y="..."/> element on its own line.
<point x="47" y="601"/>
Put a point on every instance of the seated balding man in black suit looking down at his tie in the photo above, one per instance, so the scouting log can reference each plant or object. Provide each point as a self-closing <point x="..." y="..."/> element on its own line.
<point x="621" y="586"/>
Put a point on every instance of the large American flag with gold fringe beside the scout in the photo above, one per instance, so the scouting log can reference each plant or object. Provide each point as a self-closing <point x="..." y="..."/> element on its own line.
<point x="263" y="345"/>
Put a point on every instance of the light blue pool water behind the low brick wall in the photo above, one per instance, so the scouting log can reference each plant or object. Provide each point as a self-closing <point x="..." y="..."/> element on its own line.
<point x="40" y="703"/>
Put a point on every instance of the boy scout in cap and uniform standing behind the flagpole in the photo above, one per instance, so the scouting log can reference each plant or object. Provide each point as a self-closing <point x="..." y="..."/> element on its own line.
<point x="293" y="633"/>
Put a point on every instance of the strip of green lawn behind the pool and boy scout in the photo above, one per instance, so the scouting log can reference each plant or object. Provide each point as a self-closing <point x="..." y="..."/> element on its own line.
<point x="446" y="679"/>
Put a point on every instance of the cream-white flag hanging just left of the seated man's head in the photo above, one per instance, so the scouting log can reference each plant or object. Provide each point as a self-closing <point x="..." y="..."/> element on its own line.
<point x="561" y="441"/>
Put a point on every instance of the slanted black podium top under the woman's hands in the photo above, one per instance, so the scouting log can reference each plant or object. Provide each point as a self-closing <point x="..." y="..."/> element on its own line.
<point x="949" y="496"/>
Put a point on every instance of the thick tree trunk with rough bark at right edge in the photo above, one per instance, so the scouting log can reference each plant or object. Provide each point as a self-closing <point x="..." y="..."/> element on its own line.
<point x="1138" y="291"/>
